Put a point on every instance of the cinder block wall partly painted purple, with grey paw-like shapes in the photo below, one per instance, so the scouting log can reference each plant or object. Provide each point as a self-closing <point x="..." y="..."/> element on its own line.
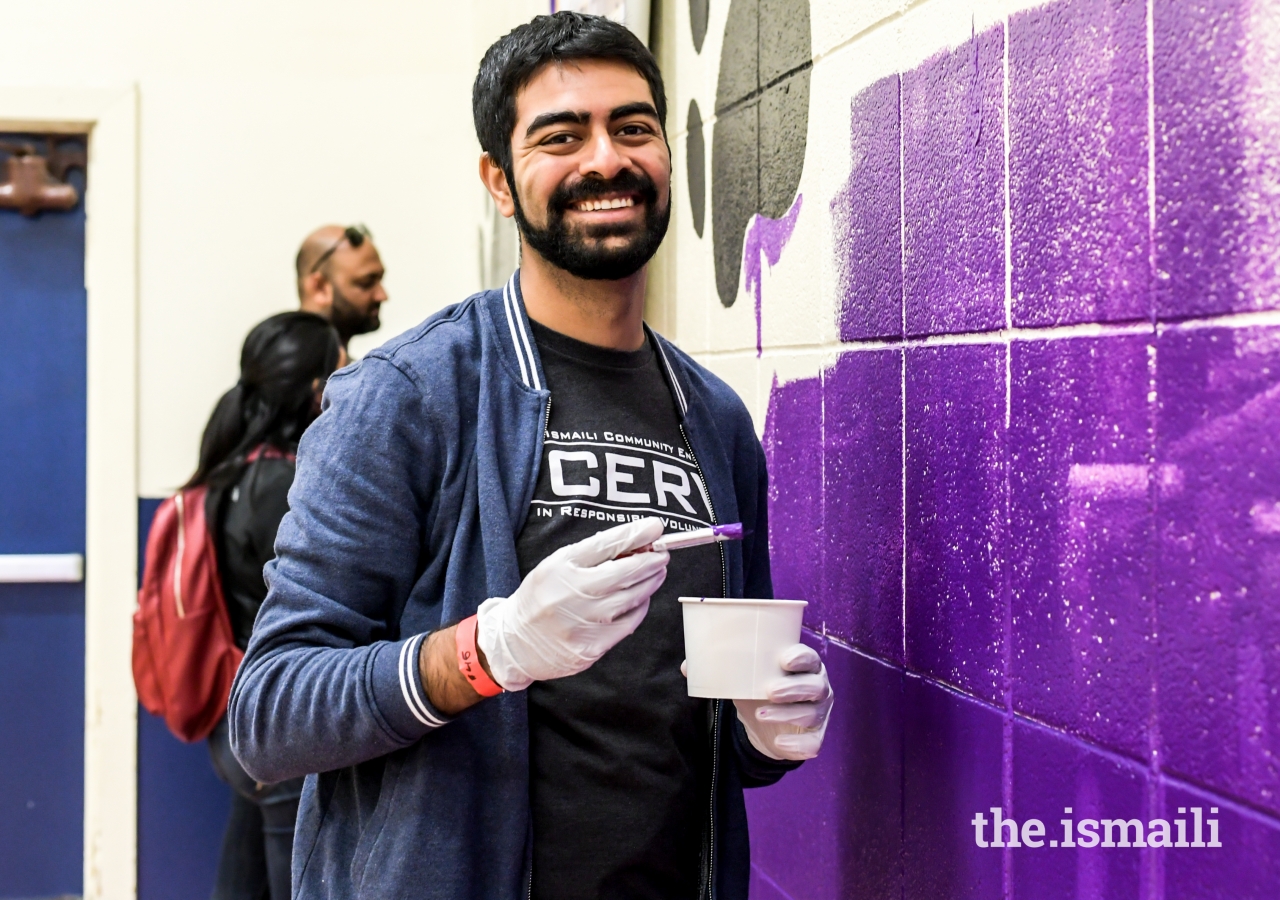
<point x="1002" y="286"/>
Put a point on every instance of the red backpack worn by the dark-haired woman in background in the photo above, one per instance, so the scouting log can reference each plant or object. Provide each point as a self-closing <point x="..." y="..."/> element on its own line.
<point x="185" y="656"/>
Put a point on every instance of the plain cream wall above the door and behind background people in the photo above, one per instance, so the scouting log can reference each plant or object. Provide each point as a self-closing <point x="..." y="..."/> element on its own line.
<point x="259" y="122"/>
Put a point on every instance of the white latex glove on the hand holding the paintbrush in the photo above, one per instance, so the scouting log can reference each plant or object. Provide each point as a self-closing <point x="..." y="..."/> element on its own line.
<point x="573" y="607"/>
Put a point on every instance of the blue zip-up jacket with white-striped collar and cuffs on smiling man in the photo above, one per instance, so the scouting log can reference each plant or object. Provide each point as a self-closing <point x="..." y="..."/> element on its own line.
<point x="412" y="490"/>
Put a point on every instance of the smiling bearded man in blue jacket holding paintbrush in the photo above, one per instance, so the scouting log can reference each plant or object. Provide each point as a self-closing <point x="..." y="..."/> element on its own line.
<point x="468" y="634"/>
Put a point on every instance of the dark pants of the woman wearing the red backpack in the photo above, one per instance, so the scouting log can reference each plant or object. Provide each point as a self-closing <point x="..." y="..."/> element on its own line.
<point x="258" y="848"/>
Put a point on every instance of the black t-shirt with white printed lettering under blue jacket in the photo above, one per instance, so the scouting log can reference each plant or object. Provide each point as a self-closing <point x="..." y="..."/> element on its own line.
<point x="620" y="755"/>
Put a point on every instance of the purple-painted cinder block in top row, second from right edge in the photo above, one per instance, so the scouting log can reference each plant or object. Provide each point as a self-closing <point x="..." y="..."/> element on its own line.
<point x="1078" y="163"/>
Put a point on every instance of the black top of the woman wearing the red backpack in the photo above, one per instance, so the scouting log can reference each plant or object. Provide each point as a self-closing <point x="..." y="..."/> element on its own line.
<point x="245" y="518"/>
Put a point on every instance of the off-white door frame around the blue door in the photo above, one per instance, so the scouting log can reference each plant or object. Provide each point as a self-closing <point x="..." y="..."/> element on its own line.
<point x="111" y="117"/>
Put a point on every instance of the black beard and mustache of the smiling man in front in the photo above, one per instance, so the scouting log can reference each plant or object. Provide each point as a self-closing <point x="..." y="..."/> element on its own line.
<point x="582" y="252"/>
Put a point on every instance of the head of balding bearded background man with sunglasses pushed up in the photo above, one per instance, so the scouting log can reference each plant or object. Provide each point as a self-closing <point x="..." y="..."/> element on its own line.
<point x="340" y="277"/>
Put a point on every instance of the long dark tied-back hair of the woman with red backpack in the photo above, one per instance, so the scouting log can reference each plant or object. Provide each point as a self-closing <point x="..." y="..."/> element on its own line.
<point x="284" y="364"/>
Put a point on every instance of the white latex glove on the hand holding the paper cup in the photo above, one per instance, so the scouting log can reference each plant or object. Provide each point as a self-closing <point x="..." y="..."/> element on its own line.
<point x="793" y="723"/>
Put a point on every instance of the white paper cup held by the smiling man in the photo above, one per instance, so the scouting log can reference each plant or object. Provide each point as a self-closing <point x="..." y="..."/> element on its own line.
<point x="733" y="646"/>
